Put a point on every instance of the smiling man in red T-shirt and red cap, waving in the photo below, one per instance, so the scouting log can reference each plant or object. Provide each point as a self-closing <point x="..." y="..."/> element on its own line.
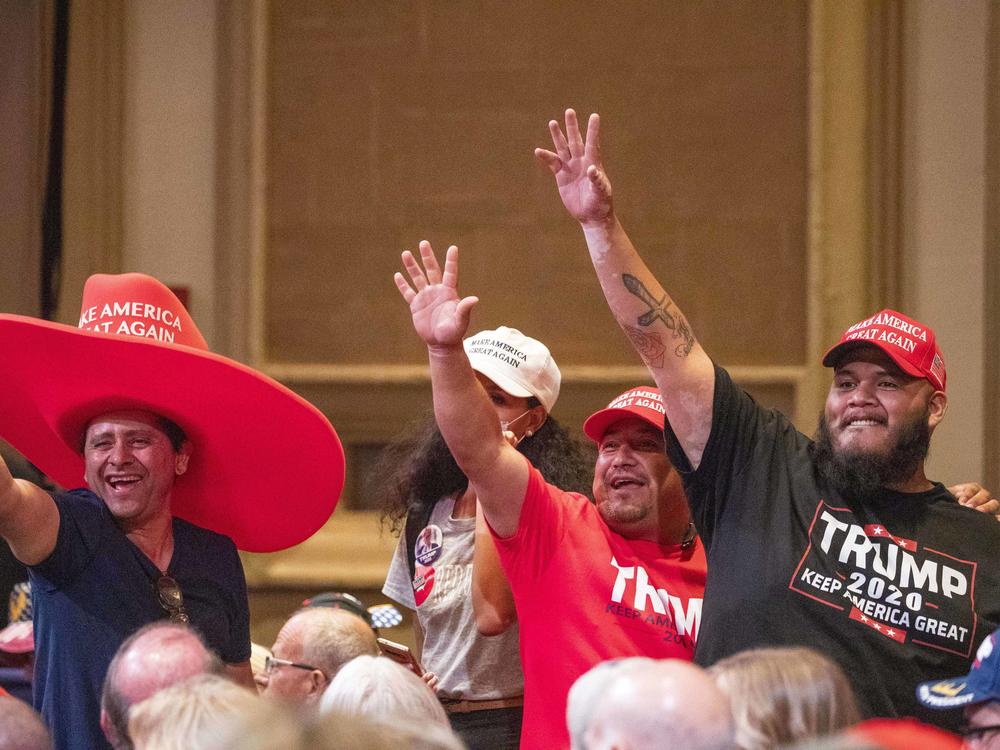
<point x="621" y="577"/>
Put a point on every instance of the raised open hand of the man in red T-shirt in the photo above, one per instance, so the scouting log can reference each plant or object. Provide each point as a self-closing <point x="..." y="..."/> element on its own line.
<point x="440" y="317"/>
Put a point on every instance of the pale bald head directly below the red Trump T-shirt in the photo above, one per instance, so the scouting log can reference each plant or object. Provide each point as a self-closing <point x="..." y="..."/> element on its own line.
<point x="665" y="703"/>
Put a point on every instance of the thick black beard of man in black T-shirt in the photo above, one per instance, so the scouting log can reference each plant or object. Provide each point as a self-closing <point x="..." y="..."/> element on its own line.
<point x="863" y="476"/>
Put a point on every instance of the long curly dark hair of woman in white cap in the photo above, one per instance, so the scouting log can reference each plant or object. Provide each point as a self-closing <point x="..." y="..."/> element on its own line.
<point x="423" y="470"/>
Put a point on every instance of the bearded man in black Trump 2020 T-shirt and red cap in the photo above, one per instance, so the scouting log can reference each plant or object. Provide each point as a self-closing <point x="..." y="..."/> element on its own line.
<point x="842" y="544"/>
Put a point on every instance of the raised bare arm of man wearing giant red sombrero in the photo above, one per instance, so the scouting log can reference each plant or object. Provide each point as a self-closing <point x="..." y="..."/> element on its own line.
<point x="29" y="519"/>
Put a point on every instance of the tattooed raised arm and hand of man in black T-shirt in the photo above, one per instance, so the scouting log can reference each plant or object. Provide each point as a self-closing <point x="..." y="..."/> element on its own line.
<point x="656" y="327"/>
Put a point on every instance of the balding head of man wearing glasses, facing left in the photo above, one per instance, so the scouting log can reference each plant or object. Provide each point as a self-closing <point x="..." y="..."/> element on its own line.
<point x="324" y="638"/>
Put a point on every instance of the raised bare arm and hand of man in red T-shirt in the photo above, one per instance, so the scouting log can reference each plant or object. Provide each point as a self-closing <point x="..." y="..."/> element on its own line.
<point x="468" y="422"/>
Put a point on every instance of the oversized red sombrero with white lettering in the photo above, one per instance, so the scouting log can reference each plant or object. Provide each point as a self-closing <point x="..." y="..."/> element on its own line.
<point x="267" y="467"/>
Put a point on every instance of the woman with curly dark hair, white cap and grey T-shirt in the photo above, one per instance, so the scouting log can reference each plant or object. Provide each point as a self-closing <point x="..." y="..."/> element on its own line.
<point x="441" y="564"/>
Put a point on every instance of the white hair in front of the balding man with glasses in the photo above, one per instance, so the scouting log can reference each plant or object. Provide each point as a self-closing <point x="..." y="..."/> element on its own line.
<point x="383" y="690"/>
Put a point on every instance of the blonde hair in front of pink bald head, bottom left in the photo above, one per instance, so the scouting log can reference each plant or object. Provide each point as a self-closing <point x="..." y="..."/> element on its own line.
<point x="184" y="716"/>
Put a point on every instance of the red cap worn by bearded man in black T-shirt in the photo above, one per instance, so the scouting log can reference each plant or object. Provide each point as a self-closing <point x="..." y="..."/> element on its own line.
<point x="909" y="343"/>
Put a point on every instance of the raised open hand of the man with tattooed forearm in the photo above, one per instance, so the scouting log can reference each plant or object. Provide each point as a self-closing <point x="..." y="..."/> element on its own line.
<point x="576" y="164"/>
